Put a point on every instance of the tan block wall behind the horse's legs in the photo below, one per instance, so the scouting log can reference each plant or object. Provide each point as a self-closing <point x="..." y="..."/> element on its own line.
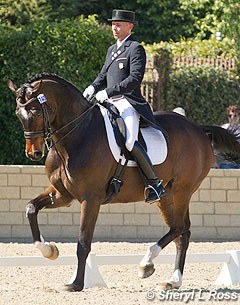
<point x="214" y="208"/>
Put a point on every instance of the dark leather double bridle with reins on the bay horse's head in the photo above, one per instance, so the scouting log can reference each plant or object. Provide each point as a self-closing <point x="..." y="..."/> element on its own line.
<point x="47" y="131"/>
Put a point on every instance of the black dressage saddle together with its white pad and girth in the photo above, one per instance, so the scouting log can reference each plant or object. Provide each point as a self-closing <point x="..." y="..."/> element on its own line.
<point x="150" y="138"/>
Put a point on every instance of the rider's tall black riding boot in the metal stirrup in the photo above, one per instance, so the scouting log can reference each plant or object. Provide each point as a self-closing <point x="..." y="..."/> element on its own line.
<point x="155" y="190"/>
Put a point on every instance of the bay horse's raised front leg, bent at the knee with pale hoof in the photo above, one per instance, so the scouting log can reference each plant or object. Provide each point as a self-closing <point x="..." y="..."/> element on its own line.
<point x="50" y="198"/>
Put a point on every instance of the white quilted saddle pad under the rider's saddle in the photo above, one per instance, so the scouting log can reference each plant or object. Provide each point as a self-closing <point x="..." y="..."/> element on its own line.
<point x="155" y="141"/>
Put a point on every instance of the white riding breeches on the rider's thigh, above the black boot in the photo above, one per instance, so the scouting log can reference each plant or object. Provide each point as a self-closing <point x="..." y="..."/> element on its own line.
<point x="131" y="119"/>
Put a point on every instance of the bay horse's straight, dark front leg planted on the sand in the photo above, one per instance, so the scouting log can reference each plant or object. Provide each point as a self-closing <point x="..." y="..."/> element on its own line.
<point x="89" y="214"/>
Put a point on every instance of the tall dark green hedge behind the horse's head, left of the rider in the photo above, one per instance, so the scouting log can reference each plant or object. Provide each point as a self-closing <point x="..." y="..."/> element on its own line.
<point x="74" y="49"/>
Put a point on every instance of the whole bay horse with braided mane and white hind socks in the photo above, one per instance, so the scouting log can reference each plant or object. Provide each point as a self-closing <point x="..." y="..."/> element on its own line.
<point x="79" y="165"/>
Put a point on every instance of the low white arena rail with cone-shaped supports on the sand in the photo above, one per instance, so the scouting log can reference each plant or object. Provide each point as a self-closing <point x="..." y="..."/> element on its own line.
<point x="229" y="274"/>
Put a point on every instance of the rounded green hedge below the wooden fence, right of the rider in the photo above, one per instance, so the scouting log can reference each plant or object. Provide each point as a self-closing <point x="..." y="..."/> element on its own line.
<point x="204" y="93"/>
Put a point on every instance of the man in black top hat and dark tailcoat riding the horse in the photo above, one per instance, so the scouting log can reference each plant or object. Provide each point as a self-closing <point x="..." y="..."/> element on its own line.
<point x="119" y="82"/>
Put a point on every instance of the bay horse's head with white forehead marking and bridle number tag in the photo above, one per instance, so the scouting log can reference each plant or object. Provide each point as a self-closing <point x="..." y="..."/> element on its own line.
<point x="34" y="113"/>
